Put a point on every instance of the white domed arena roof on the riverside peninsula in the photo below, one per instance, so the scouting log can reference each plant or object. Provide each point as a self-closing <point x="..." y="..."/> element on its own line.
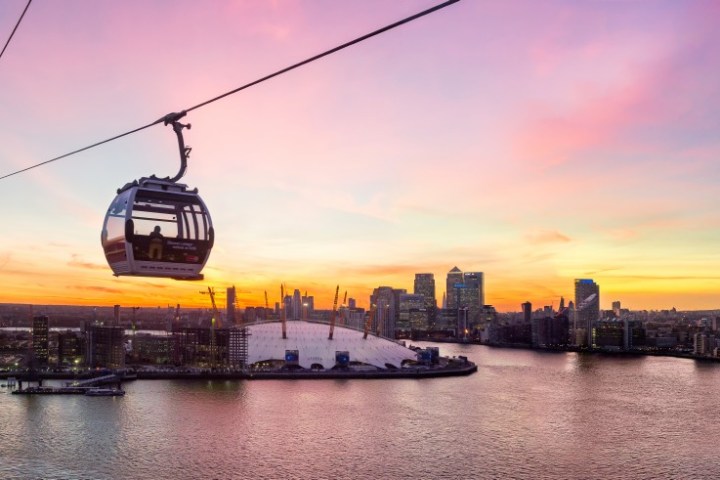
<point x="307" y="346"/>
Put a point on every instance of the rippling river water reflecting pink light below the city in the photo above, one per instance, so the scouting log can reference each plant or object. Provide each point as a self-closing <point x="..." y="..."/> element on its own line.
<point x="525" y="415"/>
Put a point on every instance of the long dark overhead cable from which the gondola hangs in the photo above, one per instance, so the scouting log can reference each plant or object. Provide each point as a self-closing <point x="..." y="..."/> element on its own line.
<point x="175" y="116"/>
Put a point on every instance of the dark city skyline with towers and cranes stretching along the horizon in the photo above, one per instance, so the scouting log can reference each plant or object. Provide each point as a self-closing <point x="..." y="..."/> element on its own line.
<point x="114" y="337"/>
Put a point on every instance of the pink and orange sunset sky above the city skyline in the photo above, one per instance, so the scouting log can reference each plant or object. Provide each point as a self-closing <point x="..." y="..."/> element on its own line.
<point x="537" y="142"/>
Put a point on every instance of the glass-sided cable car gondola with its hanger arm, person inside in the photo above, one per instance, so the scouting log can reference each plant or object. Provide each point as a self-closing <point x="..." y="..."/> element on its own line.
<point x="157" y="227"/>
